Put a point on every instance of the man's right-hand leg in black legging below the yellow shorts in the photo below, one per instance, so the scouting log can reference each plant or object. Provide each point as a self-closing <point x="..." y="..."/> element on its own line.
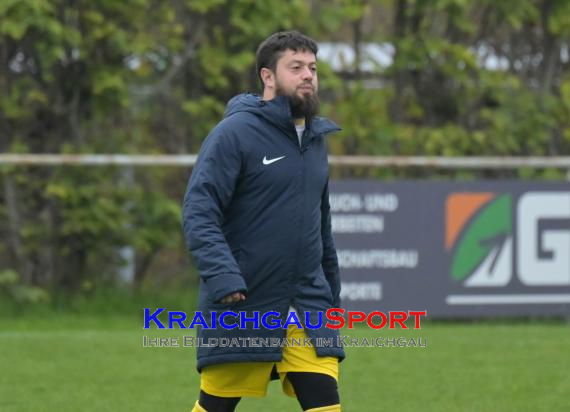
<point x="315" y="391"/>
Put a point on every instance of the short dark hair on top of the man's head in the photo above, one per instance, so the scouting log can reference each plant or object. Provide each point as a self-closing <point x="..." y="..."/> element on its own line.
<point x="271" y="49"/>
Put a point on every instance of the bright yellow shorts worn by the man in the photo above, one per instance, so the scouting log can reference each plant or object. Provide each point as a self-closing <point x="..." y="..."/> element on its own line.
<point x="251" y="378"/>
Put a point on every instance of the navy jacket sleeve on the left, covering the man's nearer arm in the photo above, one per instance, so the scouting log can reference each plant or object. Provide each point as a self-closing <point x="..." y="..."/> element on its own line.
<point x="209" y="192"/>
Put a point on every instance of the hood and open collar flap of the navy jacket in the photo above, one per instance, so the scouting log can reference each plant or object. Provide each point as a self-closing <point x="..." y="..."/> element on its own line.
<point x="276" y="111"/>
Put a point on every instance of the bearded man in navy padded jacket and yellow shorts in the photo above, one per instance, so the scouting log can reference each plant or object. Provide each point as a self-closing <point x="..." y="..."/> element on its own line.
<point x="257" y="220"/>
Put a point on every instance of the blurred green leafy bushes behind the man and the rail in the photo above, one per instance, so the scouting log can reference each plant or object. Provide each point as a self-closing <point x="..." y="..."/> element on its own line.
<point x="402" y="77"/>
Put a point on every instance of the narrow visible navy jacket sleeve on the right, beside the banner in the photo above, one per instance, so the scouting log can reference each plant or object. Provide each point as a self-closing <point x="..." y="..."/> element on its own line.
<point x="330" y="260"/>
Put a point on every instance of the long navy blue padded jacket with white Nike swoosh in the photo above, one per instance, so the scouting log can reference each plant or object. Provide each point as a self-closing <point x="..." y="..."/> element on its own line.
<point x="256" y="218"/>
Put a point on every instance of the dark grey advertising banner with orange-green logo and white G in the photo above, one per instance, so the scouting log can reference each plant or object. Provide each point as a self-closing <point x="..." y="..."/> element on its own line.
<point x="455" y="249"/>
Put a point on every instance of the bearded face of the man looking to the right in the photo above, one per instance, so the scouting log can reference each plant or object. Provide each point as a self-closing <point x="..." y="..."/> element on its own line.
<point x="296" y="78"/>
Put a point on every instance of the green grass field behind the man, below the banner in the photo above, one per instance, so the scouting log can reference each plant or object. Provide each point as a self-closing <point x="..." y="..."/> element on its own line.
<point x="98" y="364"/>
